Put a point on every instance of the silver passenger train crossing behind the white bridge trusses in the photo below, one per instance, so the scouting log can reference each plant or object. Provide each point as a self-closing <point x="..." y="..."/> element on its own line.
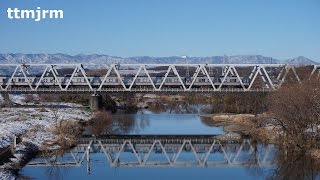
<point x="95" y="81"/>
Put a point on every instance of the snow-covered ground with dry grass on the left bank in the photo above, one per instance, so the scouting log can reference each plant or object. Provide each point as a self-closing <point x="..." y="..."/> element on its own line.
<point x="34" y="125"/>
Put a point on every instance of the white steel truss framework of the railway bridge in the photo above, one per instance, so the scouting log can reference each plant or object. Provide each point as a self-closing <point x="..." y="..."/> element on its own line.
<point x="259" y="70"/>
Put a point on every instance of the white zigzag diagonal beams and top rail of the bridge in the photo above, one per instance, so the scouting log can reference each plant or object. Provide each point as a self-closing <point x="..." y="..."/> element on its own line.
<point x="64" y="84"/>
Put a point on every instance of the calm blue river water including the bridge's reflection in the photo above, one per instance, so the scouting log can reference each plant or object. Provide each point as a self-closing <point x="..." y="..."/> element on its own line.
<point x="200" y="158"/>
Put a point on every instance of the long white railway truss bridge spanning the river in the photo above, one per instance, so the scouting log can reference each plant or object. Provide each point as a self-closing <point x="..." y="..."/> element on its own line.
<point x="79" y="78"/>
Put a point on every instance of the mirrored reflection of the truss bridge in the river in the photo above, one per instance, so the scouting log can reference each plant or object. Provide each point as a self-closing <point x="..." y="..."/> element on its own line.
<point x="165" y="151"/>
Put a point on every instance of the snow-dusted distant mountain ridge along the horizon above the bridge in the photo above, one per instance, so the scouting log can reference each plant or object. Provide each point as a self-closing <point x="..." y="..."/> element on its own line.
<point x="96" y="59"/>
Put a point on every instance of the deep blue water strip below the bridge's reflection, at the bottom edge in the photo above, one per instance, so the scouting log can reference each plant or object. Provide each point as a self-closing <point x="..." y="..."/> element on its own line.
<point x="100" y="169"/>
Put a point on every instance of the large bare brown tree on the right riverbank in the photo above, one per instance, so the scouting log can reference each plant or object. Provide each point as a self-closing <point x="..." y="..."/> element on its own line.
<point x="296" y="110"/>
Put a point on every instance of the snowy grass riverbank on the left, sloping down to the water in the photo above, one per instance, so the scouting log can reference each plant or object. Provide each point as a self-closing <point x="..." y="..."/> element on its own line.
<point x="36" y="127"/>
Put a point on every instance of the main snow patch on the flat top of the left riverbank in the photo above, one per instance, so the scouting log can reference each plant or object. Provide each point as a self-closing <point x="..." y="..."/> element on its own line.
<point x="17" y="121"/>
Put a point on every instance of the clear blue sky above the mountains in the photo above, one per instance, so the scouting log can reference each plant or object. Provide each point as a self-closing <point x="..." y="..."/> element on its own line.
<point x="279" y="28"/>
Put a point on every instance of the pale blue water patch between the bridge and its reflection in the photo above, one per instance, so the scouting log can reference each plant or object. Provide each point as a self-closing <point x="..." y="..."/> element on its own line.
<point x="169" y="124"/>
